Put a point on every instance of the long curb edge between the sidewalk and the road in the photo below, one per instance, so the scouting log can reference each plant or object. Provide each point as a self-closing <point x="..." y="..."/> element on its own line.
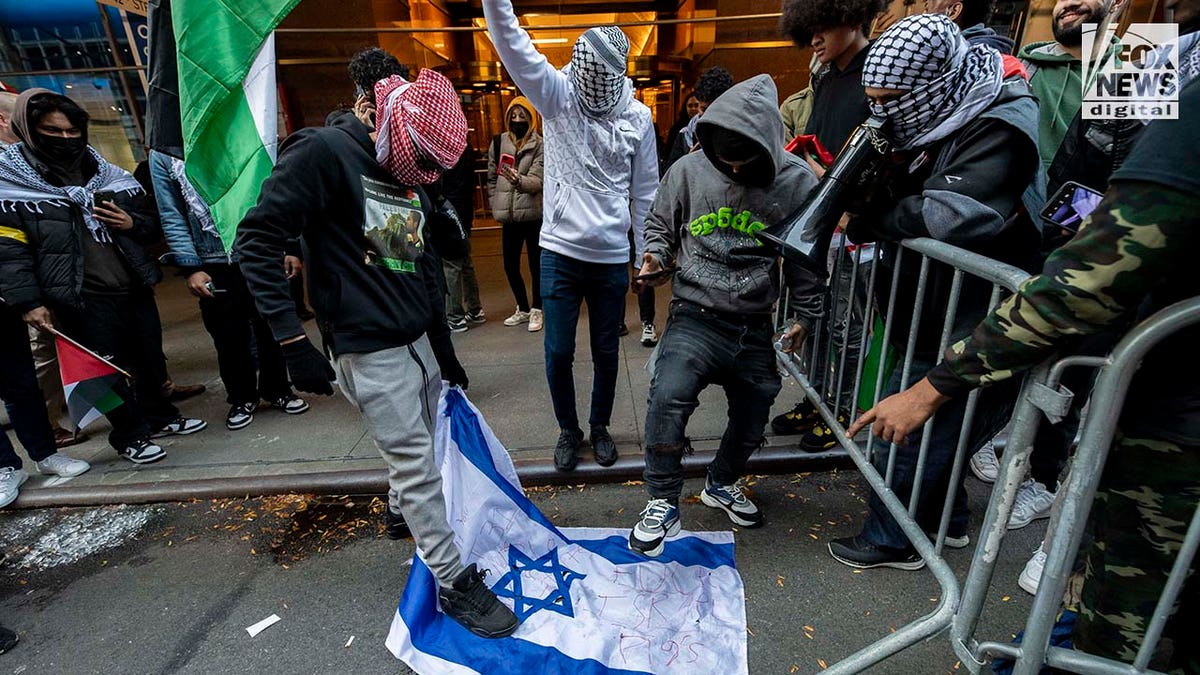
<point x="375" y="481"/>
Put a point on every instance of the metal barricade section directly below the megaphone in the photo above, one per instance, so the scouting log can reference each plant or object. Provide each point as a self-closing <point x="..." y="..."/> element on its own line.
<point x="914" y="259"/>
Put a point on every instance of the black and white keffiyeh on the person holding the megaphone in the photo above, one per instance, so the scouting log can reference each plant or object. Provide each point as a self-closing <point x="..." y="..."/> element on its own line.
<point x="947" y="82"/>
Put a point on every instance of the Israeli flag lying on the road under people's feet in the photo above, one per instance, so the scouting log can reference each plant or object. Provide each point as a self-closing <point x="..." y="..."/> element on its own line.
<point x="587" y="605"/>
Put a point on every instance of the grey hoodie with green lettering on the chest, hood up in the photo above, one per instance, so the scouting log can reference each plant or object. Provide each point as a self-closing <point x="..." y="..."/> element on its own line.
<point x="705" y="223"/>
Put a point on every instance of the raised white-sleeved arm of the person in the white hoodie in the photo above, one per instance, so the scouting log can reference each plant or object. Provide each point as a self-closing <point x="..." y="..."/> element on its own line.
<point x="533" y="75"/>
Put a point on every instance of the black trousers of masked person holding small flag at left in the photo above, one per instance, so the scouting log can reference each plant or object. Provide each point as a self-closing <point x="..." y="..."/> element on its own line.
<point x="127" y="330"/>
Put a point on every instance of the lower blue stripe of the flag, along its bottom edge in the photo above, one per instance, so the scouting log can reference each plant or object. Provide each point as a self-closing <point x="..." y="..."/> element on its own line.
<point x="440" y="636"/>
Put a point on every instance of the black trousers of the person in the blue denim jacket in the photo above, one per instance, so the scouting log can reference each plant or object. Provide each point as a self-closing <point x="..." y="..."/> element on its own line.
<point x="233" y="321"/>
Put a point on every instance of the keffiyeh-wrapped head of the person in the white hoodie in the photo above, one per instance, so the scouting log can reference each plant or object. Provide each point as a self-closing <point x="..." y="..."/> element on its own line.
<point x="598" y="69"/>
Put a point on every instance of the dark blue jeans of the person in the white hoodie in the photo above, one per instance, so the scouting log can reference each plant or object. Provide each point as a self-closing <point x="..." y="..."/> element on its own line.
<point x="566" y="285"/>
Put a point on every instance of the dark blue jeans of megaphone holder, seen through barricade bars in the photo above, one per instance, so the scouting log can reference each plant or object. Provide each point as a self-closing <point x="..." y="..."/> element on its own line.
<point x="992" y="415"/>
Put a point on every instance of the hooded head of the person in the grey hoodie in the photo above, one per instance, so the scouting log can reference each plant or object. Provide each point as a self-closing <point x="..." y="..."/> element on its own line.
<point x="741" y="136"/>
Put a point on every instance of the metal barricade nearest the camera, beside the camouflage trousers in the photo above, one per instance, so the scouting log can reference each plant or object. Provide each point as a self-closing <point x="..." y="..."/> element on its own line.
<point x="1079" y="491"/>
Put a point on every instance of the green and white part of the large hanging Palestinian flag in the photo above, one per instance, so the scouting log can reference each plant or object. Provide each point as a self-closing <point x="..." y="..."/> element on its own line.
<point x="229" y="100"/>
